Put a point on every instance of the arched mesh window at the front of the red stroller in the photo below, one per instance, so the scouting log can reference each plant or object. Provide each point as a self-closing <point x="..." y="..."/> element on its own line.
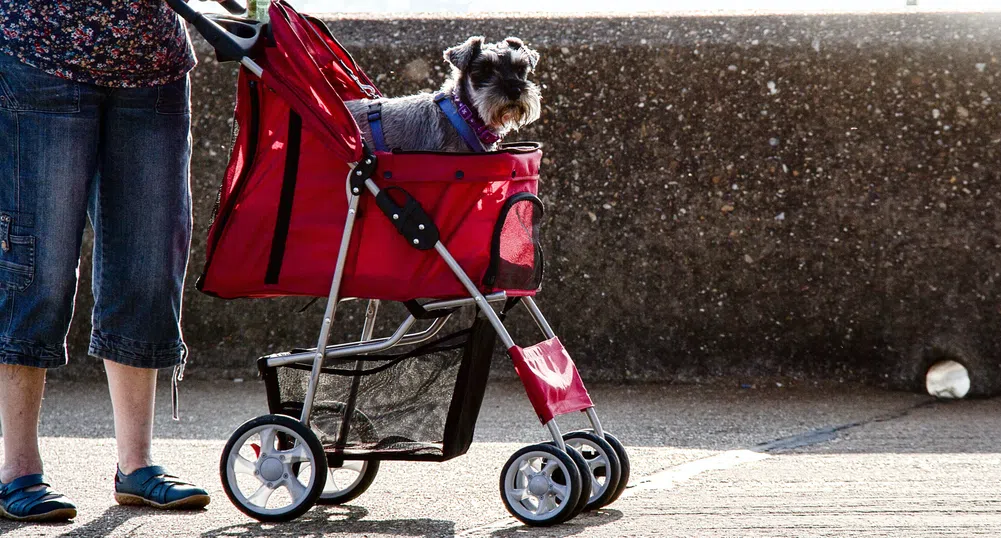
<point x="518" y="249"/>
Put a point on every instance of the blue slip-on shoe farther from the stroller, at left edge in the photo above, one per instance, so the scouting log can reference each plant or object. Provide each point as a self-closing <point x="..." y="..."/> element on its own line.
<point x="41" y="505"/>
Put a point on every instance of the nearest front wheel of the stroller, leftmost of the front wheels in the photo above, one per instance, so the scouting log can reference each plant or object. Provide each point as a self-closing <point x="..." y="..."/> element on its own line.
<point x="541" y="485"/>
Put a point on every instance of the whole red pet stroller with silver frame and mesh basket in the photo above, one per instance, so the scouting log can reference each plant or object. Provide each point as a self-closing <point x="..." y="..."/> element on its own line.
<point x="437" y="232"/>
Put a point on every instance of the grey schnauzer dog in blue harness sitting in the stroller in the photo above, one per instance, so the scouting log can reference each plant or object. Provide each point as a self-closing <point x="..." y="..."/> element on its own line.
<point x="488" y="96"/>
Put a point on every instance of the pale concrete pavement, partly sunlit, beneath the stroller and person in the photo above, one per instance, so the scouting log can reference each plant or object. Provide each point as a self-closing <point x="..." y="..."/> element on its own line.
<point x="707" y="461"/>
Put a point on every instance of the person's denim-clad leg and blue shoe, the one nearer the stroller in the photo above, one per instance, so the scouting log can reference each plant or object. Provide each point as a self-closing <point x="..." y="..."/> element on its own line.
<point x="142" y="213"/>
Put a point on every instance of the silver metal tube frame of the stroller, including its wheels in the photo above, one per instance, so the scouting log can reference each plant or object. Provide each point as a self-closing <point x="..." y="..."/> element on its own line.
<point x="539" y="501"/>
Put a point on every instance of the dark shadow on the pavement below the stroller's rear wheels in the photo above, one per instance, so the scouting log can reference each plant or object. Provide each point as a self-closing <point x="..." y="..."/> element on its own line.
<point x="325" y="521"/>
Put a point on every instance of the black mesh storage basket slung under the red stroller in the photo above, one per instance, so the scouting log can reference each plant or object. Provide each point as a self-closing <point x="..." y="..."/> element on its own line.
<point x="418" y="404"/>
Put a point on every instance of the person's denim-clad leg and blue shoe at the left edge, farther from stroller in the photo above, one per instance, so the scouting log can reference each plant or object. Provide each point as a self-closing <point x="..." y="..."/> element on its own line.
<point x="49" y="156"/>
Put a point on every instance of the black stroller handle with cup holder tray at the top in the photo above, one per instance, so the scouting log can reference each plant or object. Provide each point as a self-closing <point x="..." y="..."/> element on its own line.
<point x="234" y="40"/>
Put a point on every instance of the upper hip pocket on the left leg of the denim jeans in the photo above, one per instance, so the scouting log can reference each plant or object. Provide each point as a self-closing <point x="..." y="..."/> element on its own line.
<point x="26" y="89"/>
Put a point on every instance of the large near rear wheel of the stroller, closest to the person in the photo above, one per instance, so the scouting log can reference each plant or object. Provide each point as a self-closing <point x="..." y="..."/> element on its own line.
<point x="257" y="470"/>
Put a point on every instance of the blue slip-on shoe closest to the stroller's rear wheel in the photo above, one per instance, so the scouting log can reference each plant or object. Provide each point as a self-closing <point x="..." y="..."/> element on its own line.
<point x="153" y="486"/>
